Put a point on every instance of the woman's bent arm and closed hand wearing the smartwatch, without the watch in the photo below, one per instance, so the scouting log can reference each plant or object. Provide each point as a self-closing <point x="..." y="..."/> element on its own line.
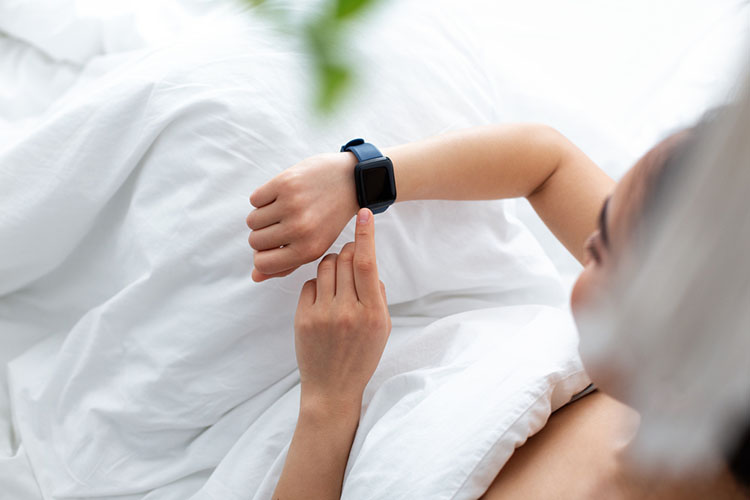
<point x="301" y="211"/>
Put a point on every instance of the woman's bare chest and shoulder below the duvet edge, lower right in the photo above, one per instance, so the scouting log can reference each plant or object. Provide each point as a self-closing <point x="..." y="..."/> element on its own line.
<point x="582" y="454"/>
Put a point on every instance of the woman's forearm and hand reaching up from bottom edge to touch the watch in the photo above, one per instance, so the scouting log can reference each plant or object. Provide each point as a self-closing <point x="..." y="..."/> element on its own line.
<point x="340" y="330"/>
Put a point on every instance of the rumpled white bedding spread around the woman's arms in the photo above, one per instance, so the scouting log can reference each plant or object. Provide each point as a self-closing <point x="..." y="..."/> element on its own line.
<point x="162" y="374"/>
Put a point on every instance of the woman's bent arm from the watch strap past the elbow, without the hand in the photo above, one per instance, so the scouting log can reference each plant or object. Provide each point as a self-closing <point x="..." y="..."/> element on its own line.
<point x="507" y="161"/>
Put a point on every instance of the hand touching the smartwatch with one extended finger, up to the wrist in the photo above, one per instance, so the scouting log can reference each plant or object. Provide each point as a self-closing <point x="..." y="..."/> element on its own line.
<point x="342" y="324"/>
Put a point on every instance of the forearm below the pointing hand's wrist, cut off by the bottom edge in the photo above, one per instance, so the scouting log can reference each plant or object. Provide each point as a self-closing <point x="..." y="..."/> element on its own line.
<point x="318" y="454"/>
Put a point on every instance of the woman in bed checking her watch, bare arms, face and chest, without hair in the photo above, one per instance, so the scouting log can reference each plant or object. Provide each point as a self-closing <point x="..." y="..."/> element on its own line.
<point x="342" y="321"/>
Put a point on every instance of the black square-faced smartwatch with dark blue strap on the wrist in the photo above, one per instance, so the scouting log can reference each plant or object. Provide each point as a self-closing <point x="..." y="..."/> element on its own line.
<point x="373" y="176"/>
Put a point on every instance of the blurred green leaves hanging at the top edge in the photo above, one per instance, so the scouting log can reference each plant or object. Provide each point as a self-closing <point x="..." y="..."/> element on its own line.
<point x="324" y="35"/>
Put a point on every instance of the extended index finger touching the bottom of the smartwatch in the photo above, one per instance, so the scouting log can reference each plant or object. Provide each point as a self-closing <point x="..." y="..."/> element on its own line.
<point x="365" y="266"/>
